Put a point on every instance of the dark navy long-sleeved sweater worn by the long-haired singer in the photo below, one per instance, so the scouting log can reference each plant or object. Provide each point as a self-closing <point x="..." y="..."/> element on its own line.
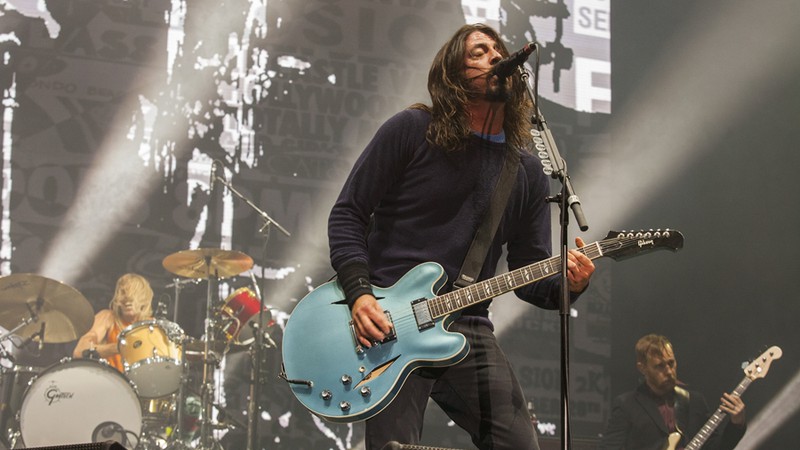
<point x="428" y="203"/>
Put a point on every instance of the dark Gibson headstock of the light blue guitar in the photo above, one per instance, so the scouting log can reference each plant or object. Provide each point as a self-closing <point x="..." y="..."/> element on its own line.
<point x="625" y="244"/>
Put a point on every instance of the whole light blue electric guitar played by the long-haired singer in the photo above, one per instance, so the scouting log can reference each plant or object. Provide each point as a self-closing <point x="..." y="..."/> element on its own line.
<point x="339" y="380"/>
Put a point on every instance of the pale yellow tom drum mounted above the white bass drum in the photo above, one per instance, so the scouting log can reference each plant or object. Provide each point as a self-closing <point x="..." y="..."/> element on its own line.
<point x="151" y="356"/>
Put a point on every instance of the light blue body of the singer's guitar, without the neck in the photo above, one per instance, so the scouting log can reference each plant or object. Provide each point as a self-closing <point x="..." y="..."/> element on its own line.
<point x="319" y="347"/>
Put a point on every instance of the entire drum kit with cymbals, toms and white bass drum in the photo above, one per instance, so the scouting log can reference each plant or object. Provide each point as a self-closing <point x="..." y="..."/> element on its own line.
<point x="159" y="401"/>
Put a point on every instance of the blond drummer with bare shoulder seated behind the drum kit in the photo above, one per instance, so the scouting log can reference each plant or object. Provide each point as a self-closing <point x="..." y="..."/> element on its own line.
<point x="132" y="303"/>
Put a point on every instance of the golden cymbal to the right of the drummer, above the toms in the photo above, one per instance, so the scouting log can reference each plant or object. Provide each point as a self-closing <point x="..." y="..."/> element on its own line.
<point x="202" y="262"/>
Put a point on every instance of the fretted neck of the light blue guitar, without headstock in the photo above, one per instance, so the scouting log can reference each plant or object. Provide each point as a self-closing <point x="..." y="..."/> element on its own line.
<point x="475" y="293"/>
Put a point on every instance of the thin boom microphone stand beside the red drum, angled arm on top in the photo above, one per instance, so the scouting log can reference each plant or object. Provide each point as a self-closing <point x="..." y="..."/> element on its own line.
<point x="258" y="343"/>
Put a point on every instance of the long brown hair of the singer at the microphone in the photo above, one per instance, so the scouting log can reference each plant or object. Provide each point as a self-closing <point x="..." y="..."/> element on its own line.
<point x="449" y="89"/>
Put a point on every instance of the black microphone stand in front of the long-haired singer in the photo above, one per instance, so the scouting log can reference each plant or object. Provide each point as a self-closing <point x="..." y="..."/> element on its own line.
<point x="556" y="167"/>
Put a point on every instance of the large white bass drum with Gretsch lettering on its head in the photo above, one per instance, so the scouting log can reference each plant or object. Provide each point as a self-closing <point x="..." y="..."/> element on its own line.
<point x="78" y="401"/>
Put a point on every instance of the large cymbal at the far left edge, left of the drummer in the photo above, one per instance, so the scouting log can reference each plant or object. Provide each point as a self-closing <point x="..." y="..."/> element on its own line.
<point x="65" y="311"/>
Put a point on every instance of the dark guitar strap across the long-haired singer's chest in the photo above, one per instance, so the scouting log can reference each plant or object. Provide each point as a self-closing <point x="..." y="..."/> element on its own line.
<point x="476" y="254"/>
